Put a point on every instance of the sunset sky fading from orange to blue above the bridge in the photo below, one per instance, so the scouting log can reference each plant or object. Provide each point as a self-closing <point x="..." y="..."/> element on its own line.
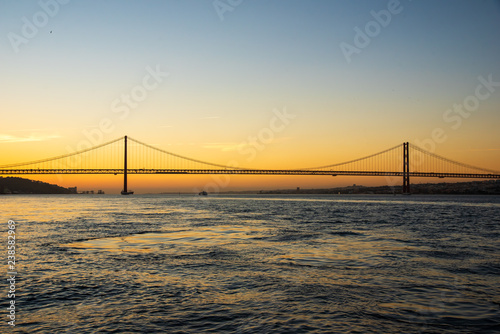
<point x="200" y="78"/>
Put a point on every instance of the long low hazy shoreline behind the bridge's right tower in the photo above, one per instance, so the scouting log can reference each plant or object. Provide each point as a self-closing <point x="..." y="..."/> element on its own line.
<point x="460" y="188"/>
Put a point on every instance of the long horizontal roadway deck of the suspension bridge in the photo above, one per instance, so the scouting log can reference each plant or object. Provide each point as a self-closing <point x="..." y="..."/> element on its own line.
<point x="245" y="172"/>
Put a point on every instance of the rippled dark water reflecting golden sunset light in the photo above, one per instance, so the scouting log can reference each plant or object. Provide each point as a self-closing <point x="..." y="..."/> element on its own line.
<point x="255" y="264"/>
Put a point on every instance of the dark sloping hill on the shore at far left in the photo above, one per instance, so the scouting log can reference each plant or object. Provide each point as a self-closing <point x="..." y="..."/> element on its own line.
<point x="17" y="185"/>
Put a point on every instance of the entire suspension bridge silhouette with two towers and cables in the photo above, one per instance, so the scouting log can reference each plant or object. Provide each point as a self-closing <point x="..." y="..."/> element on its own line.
<point x="126" y="155"/>
